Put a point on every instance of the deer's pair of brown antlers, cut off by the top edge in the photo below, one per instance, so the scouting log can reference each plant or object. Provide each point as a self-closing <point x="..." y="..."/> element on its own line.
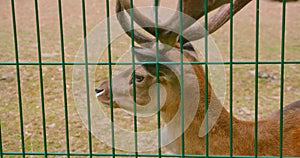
<point x="167" y="31"/>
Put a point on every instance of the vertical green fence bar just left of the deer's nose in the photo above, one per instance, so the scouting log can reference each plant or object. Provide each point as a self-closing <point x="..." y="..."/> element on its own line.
<point x="87" y="79"/>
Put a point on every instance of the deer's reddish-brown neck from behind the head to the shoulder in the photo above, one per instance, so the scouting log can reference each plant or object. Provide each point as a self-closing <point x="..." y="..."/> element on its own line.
<point x="218" y="126"/>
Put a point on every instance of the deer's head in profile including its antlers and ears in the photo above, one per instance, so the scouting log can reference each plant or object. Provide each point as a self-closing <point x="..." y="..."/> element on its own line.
<point x="145" y="75"/>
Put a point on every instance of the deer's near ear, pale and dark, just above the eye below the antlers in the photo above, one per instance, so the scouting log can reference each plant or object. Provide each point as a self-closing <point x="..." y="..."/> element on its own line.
<point x="147" y="55"/>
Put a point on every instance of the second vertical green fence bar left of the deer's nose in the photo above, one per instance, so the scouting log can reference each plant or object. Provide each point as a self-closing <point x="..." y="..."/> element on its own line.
<point x="62" y="47"/>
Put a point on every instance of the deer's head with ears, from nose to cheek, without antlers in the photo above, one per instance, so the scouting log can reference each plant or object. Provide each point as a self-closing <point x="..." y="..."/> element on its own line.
<point x="145" y="81"/>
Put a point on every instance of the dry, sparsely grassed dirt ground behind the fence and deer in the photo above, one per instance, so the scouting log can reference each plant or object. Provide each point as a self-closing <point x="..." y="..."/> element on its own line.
<point x="244" y="50"/>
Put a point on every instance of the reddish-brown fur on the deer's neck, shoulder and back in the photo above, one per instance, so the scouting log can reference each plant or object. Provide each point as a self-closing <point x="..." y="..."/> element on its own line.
<point x="242" y="131"/>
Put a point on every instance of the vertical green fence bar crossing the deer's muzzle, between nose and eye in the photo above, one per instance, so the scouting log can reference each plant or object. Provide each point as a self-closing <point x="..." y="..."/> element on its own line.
<point x="110" y="80"/>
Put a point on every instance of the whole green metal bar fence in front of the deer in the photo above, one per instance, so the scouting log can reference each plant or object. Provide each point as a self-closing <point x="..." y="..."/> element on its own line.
<point x="67" y="152"/>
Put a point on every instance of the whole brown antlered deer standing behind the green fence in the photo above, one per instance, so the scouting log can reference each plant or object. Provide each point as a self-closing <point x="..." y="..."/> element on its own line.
<point x="268" y="141"/>
